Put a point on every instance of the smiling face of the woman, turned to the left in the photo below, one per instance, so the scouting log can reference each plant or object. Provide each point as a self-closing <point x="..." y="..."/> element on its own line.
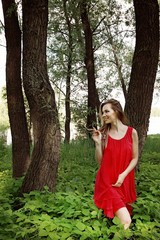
<point x="108" y="114"/>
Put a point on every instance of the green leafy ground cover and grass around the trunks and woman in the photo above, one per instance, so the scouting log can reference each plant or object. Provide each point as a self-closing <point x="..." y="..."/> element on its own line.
<point x="70" y="213"/>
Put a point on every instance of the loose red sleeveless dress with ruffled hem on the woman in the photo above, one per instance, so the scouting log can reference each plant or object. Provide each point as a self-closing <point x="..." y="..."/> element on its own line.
<point x="116" y="158"/>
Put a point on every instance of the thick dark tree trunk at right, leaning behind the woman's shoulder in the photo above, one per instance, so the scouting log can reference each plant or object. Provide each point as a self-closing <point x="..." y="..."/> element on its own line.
<point x="144" y="67"/>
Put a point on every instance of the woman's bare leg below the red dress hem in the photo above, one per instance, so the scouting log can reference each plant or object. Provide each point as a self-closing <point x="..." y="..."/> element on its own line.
<point x="124" y="217"/>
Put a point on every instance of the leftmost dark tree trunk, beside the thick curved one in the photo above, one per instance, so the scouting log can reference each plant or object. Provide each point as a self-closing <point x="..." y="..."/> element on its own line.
<point x="16" y="110"/>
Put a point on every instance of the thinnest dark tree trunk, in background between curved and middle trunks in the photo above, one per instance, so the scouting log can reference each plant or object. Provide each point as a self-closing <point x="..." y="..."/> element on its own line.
<point x="68" y="79"/>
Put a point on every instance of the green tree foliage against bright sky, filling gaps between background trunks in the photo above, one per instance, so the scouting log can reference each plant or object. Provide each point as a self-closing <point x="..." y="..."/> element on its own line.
<point x="113" y="35"/>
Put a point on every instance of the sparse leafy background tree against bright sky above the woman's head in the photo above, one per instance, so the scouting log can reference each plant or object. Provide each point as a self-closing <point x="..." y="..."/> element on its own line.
<point x="116" y="47"/>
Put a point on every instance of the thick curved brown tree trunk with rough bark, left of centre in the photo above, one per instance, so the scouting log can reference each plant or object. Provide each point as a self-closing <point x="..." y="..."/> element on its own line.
<point x="44" y="115"/>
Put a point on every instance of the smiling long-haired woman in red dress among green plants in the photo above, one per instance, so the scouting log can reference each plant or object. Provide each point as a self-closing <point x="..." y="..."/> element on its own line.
<point x="116" y="150"/>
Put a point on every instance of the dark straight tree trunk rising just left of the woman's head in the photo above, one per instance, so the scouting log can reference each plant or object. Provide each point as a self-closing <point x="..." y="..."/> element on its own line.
<point x="89" y="63"/>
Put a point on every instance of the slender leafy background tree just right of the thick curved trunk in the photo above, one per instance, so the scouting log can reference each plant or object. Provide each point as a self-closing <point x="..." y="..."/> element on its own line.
<point x="63" y="59"/>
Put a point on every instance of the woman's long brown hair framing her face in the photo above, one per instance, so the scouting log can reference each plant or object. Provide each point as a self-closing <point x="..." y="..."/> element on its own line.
<point x="116" y="106"/>
